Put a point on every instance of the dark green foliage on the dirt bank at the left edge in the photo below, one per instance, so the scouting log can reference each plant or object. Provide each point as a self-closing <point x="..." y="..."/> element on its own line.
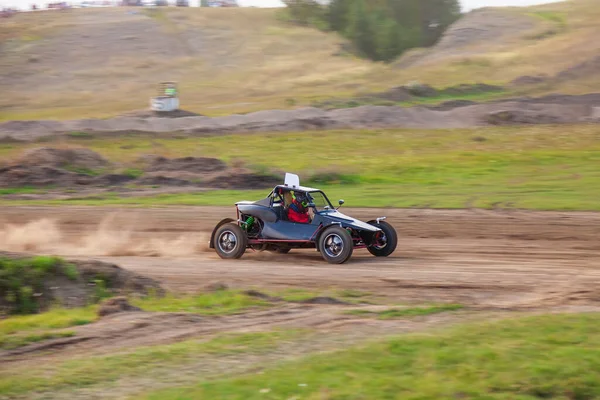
<point x="22" y="279"/>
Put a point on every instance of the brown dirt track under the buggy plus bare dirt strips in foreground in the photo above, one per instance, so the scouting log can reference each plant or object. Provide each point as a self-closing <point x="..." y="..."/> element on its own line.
<point x="493" y="262"/>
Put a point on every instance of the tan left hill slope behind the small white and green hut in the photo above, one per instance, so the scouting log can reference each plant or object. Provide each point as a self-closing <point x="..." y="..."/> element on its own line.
<point x="90" y="61"/>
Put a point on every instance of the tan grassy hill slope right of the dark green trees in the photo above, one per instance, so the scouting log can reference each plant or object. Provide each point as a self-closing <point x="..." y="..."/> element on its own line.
<point x="555" y="44"/>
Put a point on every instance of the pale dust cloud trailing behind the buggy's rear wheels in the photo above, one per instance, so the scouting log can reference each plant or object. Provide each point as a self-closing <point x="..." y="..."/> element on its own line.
<point x="109" y="238"/>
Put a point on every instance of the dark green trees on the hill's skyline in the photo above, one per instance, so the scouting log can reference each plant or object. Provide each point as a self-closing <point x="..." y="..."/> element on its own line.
<point x="380" y="30"/>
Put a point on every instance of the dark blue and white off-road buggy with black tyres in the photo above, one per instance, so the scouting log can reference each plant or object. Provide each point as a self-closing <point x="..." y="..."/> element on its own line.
<point x="264" y="226"/>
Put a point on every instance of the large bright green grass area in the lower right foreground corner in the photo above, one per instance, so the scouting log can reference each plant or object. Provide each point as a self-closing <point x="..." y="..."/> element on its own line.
<point x="551" y="356"/>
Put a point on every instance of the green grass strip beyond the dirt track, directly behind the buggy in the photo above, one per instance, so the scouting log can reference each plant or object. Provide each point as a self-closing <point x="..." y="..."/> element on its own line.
<point x="537" y="167"/>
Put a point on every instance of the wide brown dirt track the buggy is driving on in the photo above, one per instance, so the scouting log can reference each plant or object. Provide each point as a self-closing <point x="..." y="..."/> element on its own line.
<point x="489" y="259"/>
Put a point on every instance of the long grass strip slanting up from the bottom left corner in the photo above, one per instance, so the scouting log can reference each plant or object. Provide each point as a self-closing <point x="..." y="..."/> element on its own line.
<point x="144" y="361"/>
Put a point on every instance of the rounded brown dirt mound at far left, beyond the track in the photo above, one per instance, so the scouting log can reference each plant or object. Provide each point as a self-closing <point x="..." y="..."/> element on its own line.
<point x="63" y="158"/>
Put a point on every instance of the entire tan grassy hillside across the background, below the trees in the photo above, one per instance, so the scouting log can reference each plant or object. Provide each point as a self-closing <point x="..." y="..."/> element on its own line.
<point x="105" y="62"/>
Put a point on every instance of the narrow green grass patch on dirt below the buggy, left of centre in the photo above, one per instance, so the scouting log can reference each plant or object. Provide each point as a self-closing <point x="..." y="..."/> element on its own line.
<point x="221" y="302"/>
